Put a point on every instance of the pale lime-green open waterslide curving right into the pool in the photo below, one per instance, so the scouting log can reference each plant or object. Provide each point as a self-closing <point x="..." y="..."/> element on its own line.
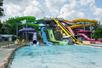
<point x="52" y="38"/>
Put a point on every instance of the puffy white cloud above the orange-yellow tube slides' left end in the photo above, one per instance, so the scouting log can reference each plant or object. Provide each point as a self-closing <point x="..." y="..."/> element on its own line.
<point x="69" y="11"/>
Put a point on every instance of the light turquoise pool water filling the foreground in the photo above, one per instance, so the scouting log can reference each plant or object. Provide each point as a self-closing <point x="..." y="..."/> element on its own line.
<point x="57" y="57"/>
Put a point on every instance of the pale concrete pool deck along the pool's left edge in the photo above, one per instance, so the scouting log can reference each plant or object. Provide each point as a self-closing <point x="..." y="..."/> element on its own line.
<point x="6" y="51"/>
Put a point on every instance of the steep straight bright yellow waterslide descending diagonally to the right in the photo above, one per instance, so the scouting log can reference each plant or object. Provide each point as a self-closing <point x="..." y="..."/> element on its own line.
<point x="66" y="31"/>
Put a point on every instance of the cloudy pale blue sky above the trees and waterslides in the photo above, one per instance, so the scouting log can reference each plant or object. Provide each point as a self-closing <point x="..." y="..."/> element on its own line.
<point x="68" y="9"/>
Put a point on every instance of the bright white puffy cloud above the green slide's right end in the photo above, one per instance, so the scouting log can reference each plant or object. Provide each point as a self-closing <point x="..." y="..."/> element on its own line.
<point x="33" y="9"/>
